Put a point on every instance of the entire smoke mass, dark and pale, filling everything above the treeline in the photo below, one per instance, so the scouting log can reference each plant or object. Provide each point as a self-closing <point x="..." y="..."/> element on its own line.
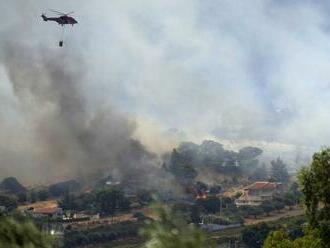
<point x="255" y="73"/>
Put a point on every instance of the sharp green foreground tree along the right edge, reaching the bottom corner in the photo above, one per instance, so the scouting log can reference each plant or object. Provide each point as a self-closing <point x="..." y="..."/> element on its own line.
<point x="315" y="187"/>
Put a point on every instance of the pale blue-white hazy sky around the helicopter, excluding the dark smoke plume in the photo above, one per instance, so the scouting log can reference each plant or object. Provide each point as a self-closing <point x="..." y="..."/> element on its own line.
<point x="248" y="72"/>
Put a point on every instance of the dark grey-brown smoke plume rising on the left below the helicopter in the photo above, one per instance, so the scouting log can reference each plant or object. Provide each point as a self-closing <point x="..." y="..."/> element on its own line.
<point x="69" y="139"/>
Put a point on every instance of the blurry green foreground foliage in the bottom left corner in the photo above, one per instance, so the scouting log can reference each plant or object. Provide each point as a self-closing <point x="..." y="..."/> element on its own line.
<point x="25" y="235"/>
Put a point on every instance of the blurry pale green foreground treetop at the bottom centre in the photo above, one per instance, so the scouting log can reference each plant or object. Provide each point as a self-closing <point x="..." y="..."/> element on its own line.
<point x="171" y="231"/>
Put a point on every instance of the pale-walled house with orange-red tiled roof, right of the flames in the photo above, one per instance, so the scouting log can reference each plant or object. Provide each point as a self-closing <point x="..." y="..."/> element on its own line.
<point x="258" y="192"/>
